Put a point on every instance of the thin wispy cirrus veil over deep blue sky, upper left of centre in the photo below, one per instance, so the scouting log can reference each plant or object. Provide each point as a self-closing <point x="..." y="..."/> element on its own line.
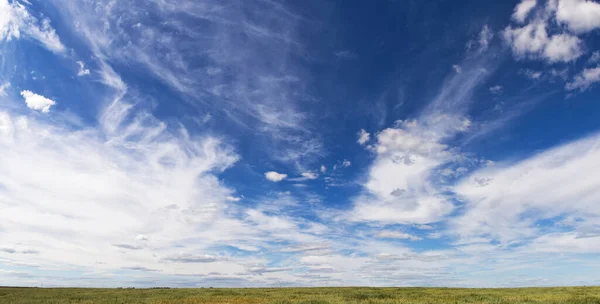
<point x="251" y="91"/>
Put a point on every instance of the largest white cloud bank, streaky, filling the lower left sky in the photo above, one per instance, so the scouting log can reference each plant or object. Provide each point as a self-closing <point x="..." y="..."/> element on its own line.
<point x="94" y="189"/>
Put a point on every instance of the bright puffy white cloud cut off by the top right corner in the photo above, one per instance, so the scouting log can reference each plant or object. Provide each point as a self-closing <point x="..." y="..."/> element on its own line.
<point x="580" y="16"/>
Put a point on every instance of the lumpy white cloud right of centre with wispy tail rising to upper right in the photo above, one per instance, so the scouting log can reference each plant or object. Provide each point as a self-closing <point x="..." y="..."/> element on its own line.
<point x="399" y="185"/>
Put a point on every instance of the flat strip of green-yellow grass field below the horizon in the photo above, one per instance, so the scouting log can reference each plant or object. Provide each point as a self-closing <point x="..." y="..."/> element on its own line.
<point x="579" y="295"/>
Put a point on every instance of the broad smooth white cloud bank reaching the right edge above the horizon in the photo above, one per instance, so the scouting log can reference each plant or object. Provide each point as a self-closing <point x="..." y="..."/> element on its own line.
<point x="505" y="202"/>
